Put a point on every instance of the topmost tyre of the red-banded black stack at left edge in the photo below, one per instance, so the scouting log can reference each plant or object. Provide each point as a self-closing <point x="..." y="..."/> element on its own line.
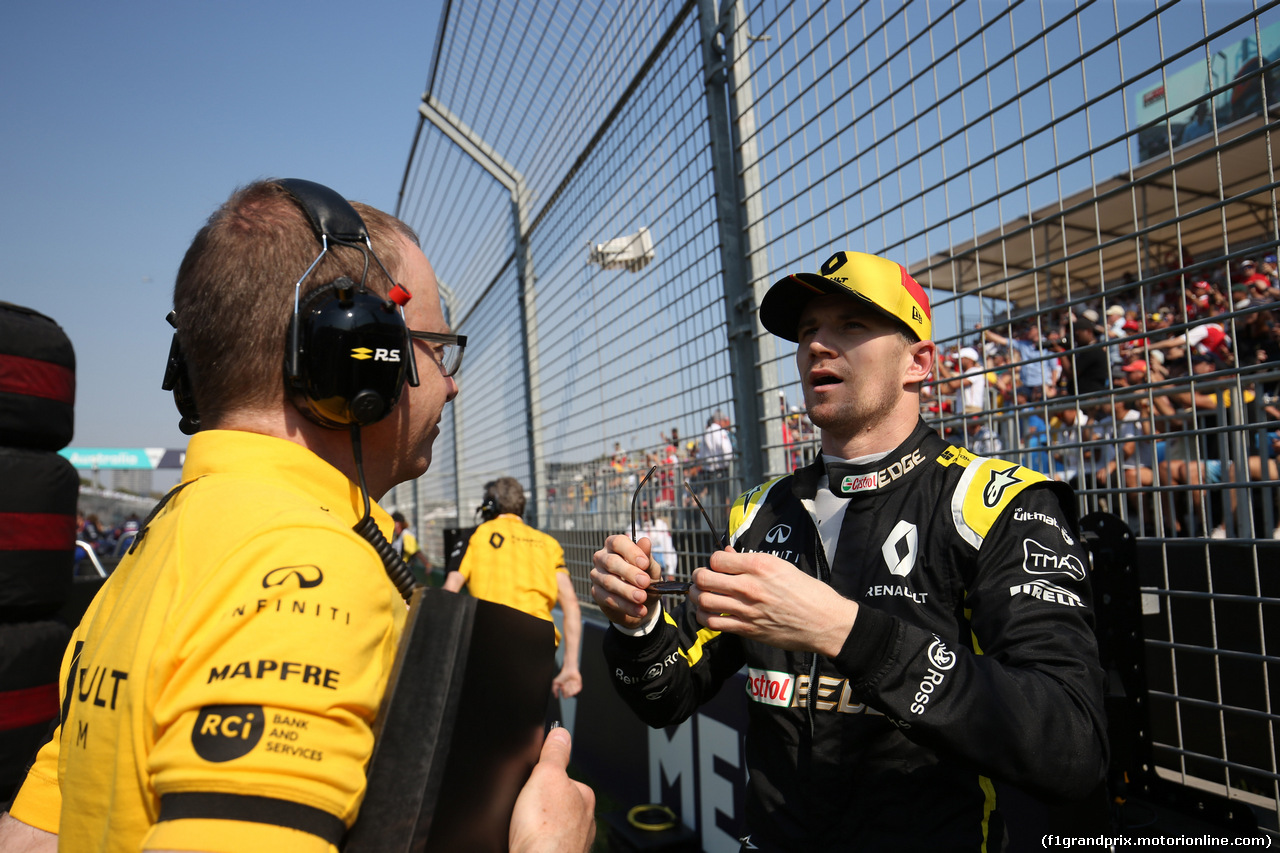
<point x="38" y="381"/>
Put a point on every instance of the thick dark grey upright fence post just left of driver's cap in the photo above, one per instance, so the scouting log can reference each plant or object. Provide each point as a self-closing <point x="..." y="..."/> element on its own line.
<point x="739" y="297"/>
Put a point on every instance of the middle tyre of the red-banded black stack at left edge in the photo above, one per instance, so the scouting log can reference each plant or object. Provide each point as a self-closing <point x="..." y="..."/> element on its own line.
<point x="39" y="491"/>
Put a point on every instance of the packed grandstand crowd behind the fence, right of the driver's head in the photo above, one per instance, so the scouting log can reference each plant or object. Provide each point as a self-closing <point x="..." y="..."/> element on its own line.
<point x="1145" y="403"/>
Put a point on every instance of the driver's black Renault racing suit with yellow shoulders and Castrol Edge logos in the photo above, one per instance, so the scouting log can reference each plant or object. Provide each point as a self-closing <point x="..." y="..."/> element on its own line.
<point x="972" y="658"/>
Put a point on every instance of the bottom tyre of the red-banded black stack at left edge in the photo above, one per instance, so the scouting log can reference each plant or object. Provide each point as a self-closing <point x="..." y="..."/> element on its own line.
<point x="30" y="658"/>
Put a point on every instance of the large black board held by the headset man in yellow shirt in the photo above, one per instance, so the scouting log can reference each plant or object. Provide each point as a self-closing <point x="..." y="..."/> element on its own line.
<point x="460" y="728"/>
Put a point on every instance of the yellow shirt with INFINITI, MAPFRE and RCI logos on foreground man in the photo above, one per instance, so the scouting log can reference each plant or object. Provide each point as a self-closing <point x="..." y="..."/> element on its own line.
<point x="221" y="691"/>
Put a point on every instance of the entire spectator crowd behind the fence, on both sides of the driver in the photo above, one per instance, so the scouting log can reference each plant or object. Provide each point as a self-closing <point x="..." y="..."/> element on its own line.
<point x="1151" y="403"/>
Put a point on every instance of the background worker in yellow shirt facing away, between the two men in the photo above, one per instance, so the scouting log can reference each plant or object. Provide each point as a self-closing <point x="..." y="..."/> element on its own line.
<point x="511" y="564"/>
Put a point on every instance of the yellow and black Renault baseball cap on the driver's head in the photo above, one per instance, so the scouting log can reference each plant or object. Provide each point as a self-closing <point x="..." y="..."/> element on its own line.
<point x="875" y="281"/>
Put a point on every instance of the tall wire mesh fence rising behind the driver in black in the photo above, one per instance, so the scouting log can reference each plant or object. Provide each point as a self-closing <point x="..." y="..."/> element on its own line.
<point x="1087" y="190"/>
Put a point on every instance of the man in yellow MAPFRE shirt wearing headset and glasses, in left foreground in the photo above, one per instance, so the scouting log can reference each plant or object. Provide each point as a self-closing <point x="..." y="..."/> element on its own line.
<point x="222" y="717"/>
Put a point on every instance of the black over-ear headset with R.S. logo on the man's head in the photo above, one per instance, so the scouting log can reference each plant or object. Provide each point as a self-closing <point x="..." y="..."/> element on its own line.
<point x="348" y="350"/>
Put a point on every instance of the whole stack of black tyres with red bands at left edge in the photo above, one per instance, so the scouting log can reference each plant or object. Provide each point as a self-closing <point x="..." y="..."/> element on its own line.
<point x="39" y="494"/>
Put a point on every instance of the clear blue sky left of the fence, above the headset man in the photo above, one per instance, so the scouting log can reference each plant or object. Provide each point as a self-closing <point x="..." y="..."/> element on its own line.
<point x="126" y="125"/>
